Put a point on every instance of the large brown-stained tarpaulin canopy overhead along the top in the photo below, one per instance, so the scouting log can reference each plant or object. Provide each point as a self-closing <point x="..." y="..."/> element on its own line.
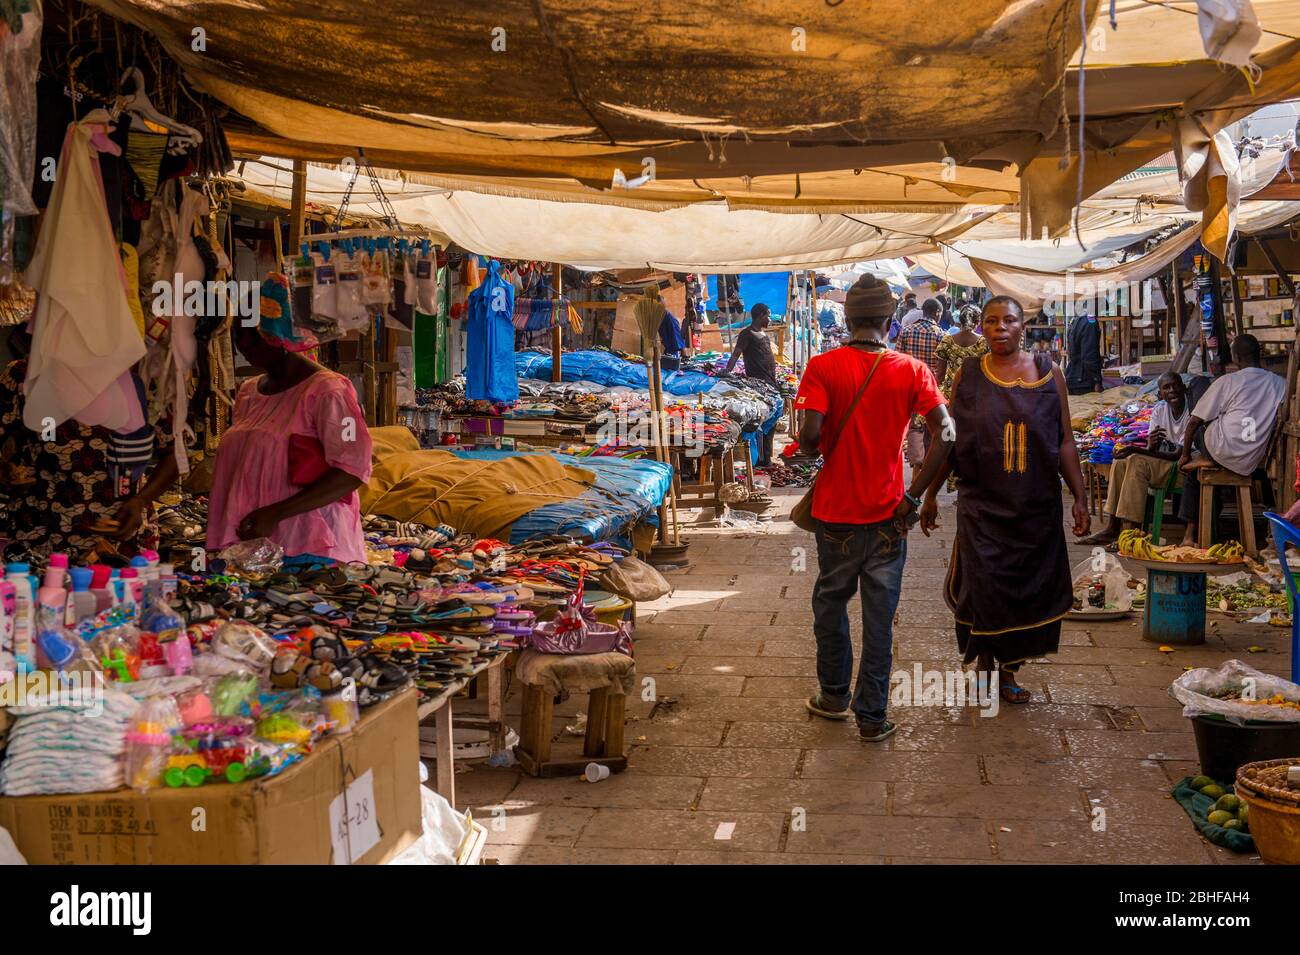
<point x="904" y="106"/>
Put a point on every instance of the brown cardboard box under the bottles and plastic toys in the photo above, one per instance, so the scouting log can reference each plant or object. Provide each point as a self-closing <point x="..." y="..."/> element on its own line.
<point x="284" y="819"/>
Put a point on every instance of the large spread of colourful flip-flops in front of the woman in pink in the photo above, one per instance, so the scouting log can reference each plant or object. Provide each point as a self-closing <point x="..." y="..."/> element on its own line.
<point x="431" y="618"/>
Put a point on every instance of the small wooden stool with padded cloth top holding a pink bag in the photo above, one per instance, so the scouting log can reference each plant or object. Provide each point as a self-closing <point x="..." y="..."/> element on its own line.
<point x="606" y="678"/>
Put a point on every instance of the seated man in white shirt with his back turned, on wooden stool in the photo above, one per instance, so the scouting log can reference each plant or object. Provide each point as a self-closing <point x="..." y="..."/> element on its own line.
<point x="1230" y="427"/>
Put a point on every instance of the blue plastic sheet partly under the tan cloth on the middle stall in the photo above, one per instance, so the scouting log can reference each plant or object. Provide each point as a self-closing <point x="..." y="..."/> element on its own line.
<point x="626" y="492"/>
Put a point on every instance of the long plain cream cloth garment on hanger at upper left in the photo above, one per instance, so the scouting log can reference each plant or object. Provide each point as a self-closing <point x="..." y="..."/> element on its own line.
<point x="84" y="335"/>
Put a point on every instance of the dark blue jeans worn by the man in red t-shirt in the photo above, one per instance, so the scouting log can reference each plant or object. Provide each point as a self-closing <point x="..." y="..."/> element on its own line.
<point x="851" y="557"/>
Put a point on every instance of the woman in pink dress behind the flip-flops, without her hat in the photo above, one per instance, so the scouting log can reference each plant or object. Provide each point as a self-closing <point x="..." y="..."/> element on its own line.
<point x="292" y="463"/>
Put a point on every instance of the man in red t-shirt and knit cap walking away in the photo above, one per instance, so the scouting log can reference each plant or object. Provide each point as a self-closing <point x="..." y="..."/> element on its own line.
<point x="860" y="503"/>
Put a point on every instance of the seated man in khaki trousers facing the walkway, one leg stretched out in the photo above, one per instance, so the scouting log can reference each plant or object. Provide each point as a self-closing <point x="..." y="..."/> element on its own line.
<point x="1136" y="468"/>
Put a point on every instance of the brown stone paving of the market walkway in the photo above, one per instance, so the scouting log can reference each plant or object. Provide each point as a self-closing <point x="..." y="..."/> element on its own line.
<point x="726" y="766"/>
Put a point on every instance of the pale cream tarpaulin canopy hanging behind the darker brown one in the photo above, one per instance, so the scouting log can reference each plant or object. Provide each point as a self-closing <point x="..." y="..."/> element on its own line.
<point x="713" y="238"/>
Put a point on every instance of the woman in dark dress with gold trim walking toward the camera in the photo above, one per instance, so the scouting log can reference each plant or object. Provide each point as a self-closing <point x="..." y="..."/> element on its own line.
<point x="1009" y="576"/>
